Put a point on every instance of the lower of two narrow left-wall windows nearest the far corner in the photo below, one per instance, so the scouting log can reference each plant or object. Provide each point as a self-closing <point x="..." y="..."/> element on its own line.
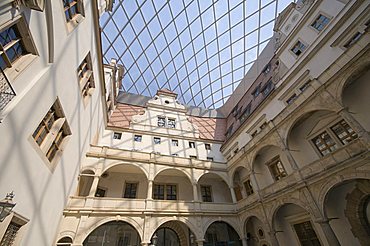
<point x="86" y="77"/>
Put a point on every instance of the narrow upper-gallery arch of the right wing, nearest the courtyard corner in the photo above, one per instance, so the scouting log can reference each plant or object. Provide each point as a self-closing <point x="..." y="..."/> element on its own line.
<point x="241" y="183"/>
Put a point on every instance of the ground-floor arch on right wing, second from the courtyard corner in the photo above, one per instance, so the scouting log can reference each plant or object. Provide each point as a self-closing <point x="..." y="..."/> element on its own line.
<point x="294" y="226"/>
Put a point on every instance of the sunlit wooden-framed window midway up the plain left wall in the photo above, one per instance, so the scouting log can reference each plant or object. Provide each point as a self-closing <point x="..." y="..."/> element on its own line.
<point x="51" y="132"/>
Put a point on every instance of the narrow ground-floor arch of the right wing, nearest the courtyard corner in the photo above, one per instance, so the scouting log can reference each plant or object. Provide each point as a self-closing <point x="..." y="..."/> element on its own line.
<point x="255" y="232"/>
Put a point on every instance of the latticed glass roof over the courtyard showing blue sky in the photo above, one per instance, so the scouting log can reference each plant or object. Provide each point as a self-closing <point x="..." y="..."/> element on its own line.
<point x="200" y="49"/>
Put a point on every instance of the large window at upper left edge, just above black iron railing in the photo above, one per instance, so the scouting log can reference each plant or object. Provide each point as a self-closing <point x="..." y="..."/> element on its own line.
<point x="15" y="42"/>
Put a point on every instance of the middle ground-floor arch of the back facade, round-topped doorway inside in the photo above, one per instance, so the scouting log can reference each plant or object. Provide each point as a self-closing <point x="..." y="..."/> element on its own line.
<point x="173" y="233"/>
